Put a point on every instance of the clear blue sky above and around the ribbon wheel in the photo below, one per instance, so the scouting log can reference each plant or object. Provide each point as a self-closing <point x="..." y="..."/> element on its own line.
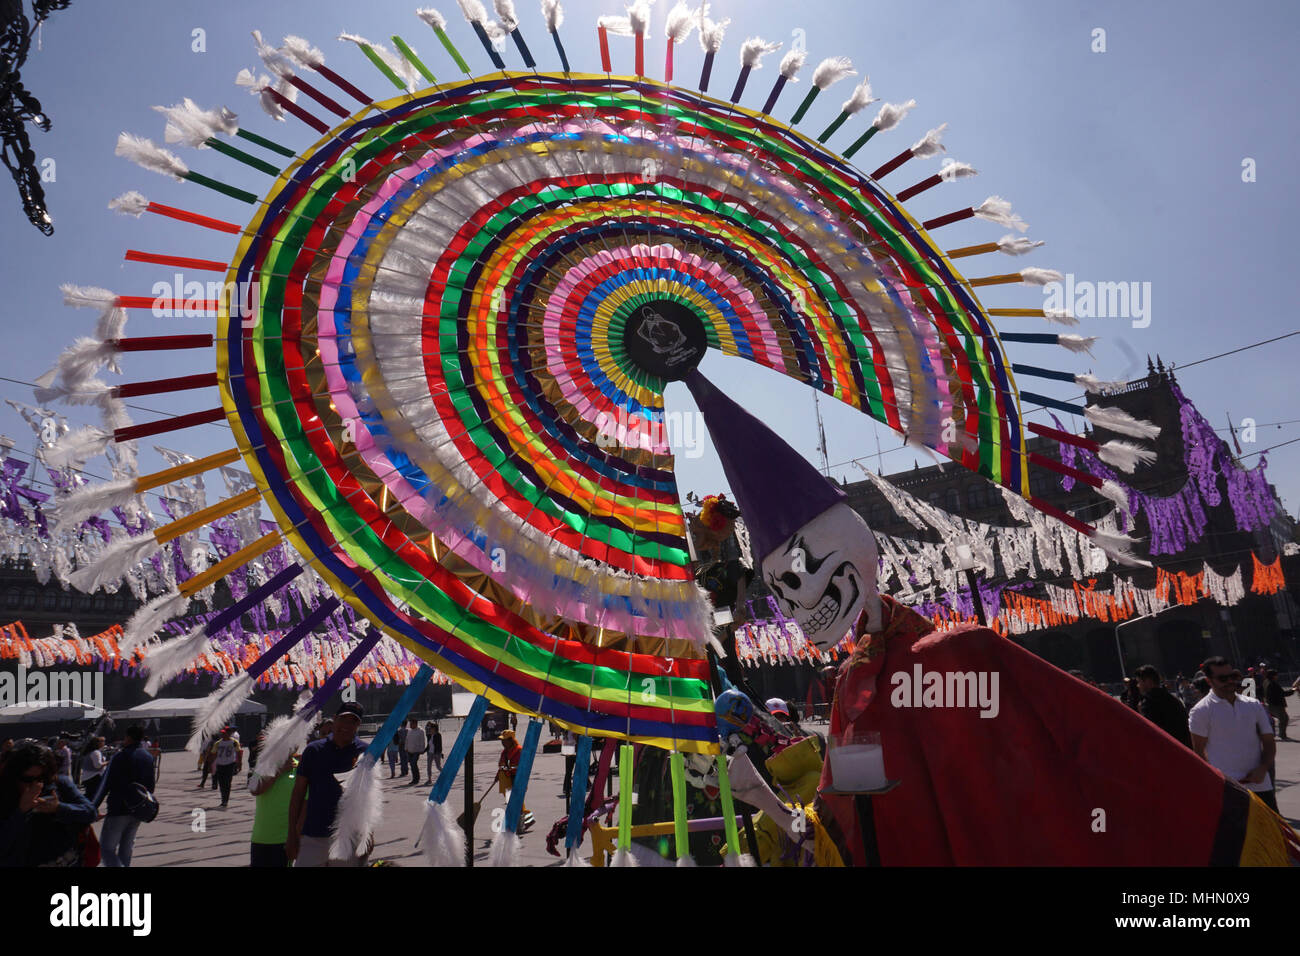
<point x="1126" y="162"/>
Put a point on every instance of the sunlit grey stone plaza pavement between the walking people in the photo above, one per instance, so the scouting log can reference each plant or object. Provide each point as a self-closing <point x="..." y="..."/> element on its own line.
<point x="193" y="830"/>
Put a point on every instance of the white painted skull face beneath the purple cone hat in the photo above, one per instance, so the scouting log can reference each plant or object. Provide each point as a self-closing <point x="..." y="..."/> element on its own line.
<point x="825" y="574"/>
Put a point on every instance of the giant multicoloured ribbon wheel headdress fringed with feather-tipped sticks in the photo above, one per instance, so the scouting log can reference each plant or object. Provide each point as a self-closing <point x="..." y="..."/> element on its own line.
<point x="453" y="318"/>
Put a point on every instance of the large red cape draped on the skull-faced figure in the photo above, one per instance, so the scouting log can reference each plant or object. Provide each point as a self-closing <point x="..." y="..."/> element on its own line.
<point x="1022" y="788"/>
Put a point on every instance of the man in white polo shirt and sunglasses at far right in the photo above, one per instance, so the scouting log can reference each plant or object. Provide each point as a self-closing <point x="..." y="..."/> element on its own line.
<point x="1234" y="734"/>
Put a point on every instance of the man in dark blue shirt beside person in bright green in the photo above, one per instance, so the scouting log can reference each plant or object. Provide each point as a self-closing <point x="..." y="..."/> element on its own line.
<point x="318" y="791"/>
